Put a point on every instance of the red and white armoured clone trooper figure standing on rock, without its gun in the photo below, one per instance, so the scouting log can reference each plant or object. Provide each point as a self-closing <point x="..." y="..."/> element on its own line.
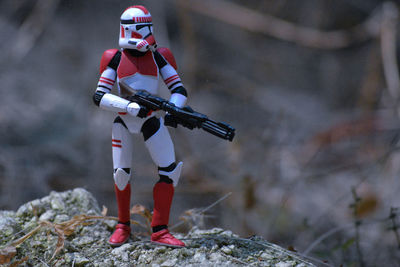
<point x="139" y="64"/>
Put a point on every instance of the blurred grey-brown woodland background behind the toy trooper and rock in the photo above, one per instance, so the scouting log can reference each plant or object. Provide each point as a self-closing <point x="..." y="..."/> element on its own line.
<point x="312" y="88"/>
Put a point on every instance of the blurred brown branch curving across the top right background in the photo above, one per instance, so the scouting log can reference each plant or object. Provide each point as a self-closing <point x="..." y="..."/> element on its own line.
<point x="254" y="21"/>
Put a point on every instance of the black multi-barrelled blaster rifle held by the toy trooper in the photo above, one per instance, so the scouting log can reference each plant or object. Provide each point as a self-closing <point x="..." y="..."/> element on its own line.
<point x="186" y="116"/>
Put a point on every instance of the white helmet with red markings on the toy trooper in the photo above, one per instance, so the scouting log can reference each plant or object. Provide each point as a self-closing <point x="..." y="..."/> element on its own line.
<point x="136" y="30"/>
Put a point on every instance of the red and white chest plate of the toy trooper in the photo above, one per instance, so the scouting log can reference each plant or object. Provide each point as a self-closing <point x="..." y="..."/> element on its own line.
<point x="139" y="72"/>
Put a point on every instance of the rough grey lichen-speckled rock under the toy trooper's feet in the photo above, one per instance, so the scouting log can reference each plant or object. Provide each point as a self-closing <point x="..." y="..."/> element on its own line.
<point x="86" y="244"/>
